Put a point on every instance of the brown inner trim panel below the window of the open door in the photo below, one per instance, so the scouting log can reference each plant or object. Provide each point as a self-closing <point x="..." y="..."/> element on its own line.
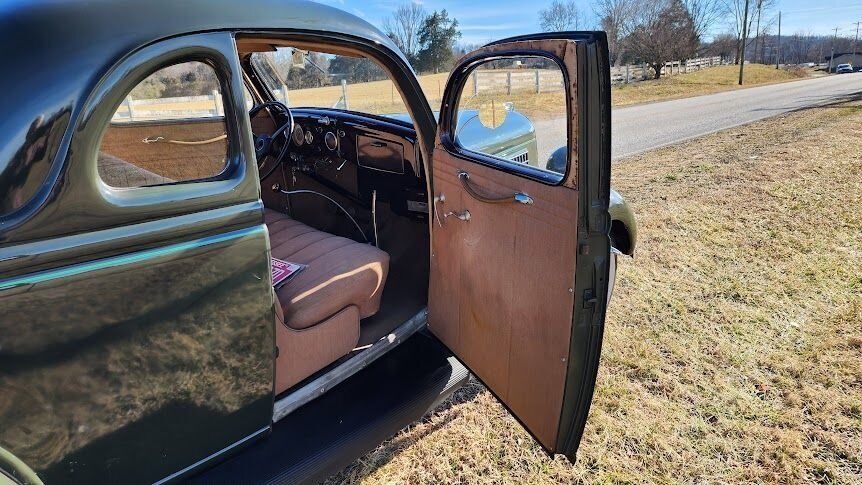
<point x="501" y="287"/>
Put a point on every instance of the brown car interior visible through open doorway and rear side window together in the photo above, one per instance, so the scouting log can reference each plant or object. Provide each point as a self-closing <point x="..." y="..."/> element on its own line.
<point x="344" y="190"/>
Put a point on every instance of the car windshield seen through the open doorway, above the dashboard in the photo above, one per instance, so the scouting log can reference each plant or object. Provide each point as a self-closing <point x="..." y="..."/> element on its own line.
<point x="307" y="79"/>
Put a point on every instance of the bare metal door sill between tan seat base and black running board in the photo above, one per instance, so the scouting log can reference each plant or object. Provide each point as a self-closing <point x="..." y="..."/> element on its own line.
<point x="324" y="383"/>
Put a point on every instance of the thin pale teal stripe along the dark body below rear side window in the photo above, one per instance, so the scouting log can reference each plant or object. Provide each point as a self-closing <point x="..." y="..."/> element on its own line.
<point x="35" y="278"/>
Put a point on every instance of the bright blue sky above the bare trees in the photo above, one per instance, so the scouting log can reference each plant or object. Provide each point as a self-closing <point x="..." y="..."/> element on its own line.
<point x="484" y="20"/>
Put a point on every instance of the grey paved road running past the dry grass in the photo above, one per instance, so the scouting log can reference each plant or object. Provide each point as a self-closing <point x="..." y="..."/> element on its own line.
<point x="644" y="127"/>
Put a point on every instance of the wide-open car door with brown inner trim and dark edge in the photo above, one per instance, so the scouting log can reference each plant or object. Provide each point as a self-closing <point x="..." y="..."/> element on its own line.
<point x="516" y="289"/>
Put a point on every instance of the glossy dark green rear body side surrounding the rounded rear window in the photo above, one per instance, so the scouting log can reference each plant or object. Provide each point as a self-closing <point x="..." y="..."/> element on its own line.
<point x="137" y="337"/>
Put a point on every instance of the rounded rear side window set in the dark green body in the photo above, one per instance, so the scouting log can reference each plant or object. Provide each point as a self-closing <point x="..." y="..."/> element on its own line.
<point x="169" y="128"/>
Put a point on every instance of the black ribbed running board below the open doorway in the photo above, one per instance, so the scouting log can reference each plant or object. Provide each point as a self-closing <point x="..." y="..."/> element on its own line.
<point x="350" y="420"/>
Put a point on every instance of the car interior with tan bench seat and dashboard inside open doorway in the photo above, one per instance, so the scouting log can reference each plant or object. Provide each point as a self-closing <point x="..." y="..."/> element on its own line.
<point x="347" y="198"/>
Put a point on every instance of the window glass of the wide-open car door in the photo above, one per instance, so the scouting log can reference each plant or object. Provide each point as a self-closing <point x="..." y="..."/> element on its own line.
<point x="515" y="109"/>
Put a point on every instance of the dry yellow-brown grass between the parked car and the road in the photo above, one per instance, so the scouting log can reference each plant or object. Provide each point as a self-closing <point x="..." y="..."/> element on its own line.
<point x="732" y="347"/>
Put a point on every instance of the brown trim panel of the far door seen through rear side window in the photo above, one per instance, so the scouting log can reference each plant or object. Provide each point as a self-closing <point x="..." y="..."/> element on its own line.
<point x="172" y="161"/>
